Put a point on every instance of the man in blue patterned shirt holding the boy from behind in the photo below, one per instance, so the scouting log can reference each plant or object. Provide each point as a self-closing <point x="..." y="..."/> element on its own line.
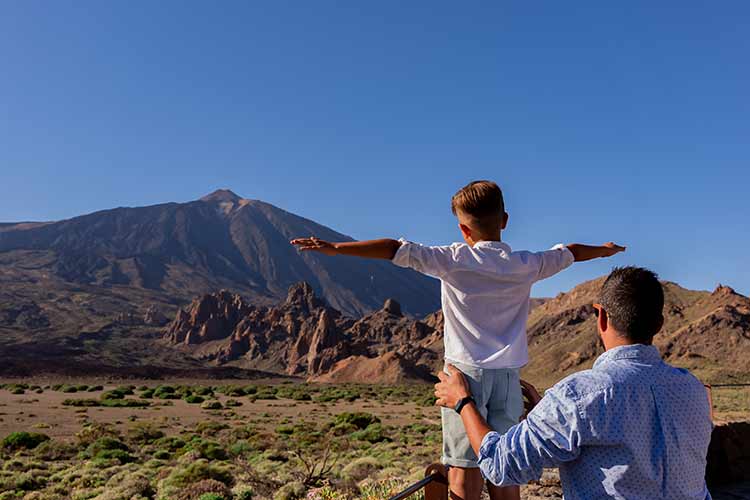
<point x="632" y="427"/>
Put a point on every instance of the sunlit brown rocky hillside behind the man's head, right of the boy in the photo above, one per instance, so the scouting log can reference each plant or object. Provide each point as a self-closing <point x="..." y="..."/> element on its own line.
<point x="709" y="333"/>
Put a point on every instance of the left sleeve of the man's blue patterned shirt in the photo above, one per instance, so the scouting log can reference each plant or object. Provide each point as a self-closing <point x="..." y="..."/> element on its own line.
<point x="550" y="436"/>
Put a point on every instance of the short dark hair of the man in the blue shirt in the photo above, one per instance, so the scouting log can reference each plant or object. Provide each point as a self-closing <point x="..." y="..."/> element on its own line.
<point x="633" y="299"/>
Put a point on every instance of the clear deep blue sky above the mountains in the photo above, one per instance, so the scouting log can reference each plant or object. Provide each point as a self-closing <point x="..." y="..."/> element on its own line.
<point x="626" y="121"/>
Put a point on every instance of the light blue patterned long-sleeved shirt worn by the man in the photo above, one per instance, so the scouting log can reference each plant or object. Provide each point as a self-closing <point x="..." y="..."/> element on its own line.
<point x="633" y="427"/>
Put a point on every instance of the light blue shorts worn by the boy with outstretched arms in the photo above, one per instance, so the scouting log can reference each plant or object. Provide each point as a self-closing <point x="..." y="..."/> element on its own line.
<point x="497" y="393"/>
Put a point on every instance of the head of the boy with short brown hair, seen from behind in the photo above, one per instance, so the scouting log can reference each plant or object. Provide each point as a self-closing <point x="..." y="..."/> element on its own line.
<point x="480" y="209"/>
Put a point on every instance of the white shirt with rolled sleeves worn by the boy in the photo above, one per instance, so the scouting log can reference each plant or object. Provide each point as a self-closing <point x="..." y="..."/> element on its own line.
<point x="485" y="296"/>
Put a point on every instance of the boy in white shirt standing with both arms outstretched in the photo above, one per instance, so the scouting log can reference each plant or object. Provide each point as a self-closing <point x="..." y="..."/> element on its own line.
<point x="485" y="290"/>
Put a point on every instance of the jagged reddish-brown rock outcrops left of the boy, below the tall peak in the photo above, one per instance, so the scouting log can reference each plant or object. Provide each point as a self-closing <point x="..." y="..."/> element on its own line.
<point x="304" y="336"/>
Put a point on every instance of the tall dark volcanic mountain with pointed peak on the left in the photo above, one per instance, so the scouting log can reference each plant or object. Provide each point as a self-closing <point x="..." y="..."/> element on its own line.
<point x="174" y="251"/>
